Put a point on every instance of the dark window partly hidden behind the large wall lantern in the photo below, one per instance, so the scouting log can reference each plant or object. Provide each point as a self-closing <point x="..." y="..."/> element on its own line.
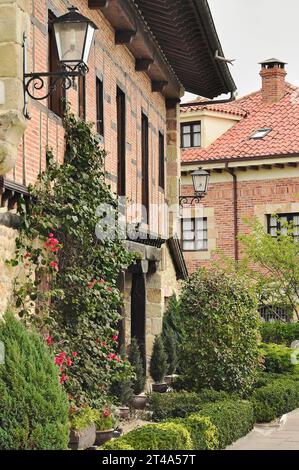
<point x="56" y="101"/>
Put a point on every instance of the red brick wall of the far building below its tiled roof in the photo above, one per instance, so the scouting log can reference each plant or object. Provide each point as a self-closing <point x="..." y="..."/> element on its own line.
<point x="251" y="194"/>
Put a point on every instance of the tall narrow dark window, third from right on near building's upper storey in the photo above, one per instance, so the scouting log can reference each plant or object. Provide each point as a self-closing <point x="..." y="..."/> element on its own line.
<point x="121" y="142"/>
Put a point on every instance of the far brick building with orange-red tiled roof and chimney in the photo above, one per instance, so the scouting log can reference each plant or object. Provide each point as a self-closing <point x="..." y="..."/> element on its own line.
<point x="252" y="153"/>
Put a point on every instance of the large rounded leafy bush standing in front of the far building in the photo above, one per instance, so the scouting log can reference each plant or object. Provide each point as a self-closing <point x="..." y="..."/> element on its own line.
<point x="220" y="347"/>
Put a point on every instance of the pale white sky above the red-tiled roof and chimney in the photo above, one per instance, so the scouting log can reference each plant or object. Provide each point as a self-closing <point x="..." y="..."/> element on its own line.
<point x="251" y="31"/>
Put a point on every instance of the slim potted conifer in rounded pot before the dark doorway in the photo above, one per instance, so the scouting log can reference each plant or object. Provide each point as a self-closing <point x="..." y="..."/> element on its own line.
<point x="139" y="400"/>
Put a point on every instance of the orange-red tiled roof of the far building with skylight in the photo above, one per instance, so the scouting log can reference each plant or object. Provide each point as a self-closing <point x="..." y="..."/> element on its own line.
<point x="282" y="117"/>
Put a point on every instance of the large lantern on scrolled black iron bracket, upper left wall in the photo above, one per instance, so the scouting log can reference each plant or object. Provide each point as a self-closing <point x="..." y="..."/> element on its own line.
<point x="74" y="35"/>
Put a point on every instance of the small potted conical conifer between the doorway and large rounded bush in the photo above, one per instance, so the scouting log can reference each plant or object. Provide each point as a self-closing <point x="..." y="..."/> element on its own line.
<point x="158" y="366"/>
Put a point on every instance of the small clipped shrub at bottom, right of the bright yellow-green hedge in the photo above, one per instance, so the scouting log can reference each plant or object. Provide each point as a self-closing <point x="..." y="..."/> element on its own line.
<point x="203" y="433"/>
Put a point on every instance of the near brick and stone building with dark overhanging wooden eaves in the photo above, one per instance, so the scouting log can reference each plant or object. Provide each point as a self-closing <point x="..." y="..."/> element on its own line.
<point x="136" y="78"/>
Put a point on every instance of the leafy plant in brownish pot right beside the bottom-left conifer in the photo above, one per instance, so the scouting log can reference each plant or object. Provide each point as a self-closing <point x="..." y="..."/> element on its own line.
<point x="83" y="429"/>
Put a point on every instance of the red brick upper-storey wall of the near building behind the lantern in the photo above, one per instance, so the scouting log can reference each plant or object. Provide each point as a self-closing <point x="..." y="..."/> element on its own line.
<point x="117" y="66"/>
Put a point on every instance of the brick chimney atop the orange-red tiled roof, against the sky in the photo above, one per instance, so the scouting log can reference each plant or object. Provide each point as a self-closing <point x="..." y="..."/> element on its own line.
<point x="273" y="80"/>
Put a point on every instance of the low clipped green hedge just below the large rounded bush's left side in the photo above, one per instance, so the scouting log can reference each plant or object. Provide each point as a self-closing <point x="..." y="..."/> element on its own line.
<point x="181" y="404"/>
